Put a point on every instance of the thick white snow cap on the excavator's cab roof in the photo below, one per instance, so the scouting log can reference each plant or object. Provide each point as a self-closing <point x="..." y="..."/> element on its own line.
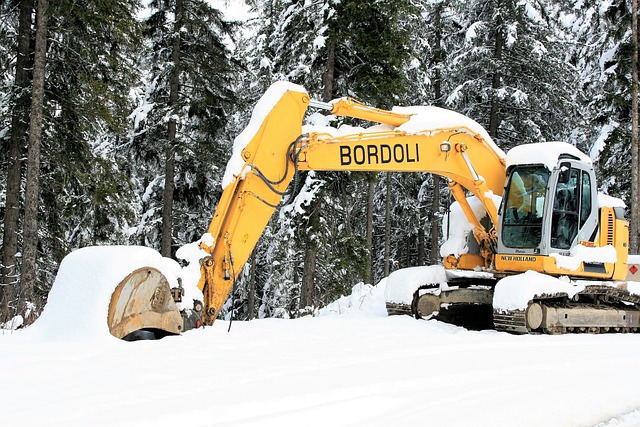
<point x="545" y="153"/>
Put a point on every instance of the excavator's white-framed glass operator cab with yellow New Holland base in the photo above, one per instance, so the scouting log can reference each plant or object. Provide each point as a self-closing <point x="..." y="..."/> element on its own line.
<point x="549" y="208"/>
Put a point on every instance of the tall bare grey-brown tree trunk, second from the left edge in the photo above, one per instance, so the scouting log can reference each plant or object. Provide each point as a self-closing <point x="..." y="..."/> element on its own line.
<point x="32" y="192"/>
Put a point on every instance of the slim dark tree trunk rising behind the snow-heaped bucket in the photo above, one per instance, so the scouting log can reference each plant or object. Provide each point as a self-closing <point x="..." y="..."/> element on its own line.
<point x="170" y="159"/>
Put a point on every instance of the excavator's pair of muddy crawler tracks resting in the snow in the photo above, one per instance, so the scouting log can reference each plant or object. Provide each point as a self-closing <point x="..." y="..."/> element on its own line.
<point x="469" y="304"/>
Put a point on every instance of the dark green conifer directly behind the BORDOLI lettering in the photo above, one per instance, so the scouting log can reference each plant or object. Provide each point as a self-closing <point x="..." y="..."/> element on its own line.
<point x="370" y="46"/>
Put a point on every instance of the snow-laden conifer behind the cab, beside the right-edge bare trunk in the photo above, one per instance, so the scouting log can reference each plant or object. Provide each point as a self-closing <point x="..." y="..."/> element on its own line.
<point x="603" y="54"/>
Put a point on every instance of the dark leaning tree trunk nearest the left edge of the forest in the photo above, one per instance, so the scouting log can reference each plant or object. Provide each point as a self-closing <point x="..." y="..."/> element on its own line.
<point x="17" y="142"/>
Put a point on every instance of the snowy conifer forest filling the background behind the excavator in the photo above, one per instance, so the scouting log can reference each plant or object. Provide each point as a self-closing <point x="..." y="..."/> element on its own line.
<point x="117" y="119"/>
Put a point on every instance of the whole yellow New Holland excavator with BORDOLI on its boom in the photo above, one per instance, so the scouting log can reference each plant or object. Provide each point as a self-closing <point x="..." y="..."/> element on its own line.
<point x="549" y="207"/>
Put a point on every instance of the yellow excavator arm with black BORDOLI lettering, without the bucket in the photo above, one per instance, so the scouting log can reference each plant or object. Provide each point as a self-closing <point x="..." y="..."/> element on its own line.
<point x="277" y="149"/>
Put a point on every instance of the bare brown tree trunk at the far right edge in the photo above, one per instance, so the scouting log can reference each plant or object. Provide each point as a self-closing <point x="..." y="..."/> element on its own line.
<point x="634" y="232"/>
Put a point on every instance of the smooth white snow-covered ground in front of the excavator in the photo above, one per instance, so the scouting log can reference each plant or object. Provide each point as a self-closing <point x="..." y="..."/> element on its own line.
<point x="356" y="368"/>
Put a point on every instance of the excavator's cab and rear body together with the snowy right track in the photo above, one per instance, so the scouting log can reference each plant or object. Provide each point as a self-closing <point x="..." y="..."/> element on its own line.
<point x="552" y="221"/>
